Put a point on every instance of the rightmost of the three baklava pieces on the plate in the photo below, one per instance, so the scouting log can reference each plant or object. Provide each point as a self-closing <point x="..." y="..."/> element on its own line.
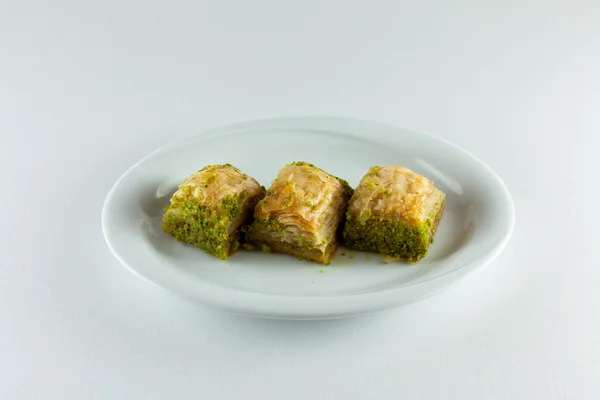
<point x="395" y="212"/>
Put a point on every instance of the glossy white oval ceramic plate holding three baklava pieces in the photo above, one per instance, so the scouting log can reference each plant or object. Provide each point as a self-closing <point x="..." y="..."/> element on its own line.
<point x="477" y="223"/>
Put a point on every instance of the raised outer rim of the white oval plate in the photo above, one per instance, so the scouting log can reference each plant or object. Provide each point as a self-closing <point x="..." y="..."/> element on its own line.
<point x="268" y="305"/>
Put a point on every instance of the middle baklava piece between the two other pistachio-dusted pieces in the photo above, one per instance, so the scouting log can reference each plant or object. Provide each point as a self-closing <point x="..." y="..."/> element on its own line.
<point x="301" y="213"/>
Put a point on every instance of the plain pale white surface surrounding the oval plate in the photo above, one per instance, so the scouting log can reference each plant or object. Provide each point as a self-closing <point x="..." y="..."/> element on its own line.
<point x="86" y="90"/>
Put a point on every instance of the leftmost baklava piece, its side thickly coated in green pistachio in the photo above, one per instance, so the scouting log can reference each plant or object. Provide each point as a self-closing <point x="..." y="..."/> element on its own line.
<point x="211" y="207"/>
